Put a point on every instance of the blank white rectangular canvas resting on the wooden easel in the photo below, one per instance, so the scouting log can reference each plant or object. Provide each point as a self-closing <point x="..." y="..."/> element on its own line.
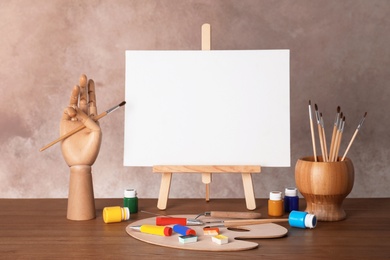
<point x="207" y="108"/>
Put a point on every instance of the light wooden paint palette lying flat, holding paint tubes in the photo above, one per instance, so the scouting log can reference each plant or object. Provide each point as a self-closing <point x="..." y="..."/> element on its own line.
<point x="205" y="243"/>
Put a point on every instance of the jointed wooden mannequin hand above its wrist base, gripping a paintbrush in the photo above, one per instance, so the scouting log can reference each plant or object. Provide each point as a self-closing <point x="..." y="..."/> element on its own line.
<point x="83" y="147"/>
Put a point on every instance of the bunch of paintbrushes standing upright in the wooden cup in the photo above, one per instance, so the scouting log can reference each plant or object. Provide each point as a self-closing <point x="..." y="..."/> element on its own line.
<point x="331" y="155"/>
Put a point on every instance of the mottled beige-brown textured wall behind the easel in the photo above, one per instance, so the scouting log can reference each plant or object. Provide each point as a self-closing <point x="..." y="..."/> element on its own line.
<point x="339" y="56"/>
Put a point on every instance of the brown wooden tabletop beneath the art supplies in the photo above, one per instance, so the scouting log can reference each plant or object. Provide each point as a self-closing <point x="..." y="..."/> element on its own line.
<point x="38" y="229"/>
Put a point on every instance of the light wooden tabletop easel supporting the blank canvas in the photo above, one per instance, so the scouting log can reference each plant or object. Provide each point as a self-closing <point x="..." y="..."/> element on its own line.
<point x="206" y="171"/>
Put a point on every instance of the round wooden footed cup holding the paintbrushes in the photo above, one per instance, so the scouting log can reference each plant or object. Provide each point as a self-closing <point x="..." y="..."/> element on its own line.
<point x="324" y="185"/>
